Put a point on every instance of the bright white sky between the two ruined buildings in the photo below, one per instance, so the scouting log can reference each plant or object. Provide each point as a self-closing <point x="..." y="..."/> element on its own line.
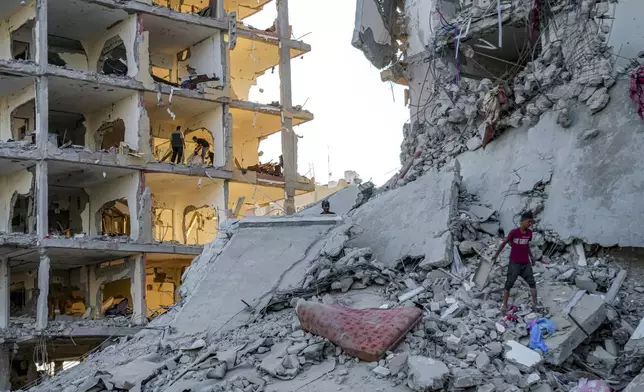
<point x="358" y="118"/>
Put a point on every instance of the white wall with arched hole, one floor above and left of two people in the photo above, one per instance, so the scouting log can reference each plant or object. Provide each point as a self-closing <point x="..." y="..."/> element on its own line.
<point x="127" y="31"/>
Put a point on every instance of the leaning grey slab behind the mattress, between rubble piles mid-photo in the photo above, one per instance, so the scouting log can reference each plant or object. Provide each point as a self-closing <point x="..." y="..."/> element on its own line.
<point x="411" y="221"/>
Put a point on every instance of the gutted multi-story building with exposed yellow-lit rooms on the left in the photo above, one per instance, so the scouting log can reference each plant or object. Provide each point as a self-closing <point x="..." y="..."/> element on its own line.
<point x="90" y="206"/>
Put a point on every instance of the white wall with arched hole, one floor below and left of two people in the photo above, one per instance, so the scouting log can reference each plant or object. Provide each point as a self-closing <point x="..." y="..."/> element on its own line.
<point x="125" y="187"/>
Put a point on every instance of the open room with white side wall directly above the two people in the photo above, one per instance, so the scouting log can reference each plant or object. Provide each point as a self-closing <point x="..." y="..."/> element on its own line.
<point x="183" y="56"/>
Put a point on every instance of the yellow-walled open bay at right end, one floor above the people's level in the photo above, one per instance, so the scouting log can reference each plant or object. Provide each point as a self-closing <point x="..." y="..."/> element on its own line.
<point x="255" y="53"/>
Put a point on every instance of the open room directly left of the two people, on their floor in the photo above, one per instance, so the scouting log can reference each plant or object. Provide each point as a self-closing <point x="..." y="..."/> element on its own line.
<point x="108" y="126"/>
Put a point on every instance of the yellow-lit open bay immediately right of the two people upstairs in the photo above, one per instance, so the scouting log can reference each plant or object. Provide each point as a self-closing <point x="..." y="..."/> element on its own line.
<point x="253" y="123"/>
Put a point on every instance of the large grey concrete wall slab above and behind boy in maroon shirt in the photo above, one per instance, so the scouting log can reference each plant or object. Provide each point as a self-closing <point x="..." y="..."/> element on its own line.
<point x="596" y="189"/>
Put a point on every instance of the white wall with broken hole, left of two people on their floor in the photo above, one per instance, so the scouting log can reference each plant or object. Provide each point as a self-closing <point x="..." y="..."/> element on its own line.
<point x="129" y="110"/>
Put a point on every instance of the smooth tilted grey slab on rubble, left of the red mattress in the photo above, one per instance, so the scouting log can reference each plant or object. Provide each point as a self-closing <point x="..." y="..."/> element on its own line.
<point x="252" y="264"/>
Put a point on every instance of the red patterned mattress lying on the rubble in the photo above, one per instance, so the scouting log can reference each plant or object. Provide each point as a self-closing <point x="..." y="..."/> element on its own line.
<point x="363" y="333"/>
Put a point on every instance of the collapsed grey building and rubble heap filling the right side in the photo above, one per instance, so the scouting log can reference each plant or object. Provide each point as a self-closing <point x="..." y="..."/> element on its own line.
<point x="515" y="106"/>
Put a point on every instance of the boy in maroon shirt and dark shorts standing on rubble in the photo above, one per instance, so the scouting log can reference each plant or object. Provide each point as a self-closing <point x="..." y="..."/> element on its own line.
<point x="521" y="259"/>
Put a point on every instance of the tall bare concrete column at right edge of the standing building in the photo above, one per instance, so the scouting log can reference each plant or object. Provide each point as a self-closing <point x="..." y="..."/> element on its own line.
<point x="288" y="136"/>
